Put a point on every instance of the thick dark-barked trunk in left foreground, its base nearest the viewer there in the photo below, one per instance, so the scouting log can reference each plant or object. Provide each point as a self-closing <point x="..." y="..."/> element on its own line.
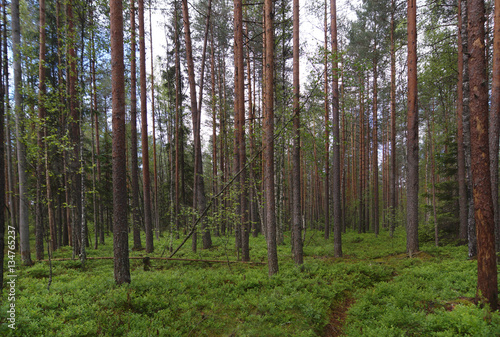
<point x="120" y="226"/>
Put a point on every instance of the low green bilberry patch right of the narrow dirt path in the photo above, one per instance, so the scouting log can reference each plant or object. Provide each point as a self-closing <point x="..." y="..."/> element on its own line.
<point x="431" y="296"/>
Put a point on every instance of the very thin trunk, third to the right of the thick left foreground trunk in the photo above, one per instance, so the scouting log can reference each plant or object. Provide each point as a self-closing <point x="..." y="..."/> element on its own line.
<point x="155" y="166"/>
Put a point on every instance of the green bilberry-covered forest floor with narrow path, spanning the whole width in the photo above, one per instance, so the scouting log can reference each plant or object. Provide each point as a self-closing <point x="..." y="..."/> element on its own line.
<point x="374" y="290"/>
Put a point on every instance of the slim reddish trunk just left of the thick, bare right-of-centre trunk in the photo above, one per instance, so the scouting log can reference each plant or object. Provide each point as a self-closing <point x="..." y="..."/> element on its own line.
<point x="392" y="178"/>
